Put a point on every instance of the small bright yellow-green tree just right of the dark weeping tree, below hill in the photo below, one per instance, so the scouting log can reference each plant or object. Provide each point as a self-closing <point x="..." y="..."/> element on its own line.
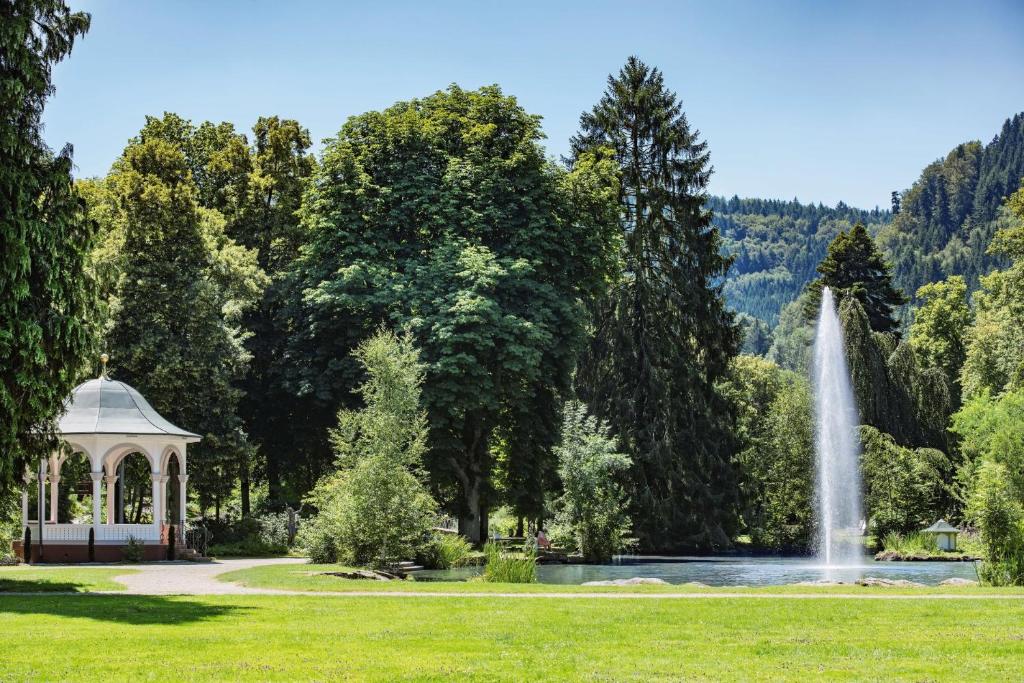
<point x="941" y="325"/>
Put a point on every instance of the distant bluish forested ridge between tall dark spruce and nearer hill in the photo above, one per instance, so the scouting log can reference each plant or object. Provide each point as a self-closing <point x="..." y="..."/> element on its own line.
<point x="778" y="245"/>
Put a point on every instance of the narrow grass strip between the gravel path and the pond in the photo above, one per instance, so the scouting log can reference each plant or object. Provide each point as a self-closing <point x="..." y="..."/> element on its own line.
<point x="310" y="578"/>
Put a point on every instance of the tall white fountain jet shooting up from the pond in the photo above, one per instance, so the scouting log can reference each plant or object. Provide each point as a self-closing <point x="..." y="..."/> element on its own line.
<point x="837" y="446"/>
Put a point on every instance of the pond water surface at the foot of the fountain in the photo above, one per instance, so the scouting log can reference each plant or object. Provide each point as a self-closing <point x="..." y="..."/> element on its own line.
<point x="731" y="571"/>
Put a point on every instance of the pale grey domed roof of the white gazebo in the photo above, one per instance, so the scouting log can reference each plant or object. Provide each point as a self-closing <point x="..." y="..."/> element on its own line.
<point x="107" y="407"/>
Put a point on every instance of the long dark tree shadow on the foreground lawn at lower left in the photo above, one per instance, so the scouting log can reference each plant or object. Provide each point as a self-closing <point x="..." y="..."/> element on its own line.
<point x="139" y="610"/>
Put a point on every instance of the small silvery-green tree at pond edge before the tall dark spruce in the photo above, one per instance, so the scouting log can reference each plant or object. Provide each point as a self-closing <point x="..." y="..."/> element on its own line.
<point x="592" y="510"/>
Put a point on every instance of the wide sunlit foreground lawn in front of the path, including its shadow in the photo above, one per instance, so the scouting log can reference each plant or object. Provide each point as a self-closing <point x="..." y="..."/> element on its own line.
<point x="313" y="638"/>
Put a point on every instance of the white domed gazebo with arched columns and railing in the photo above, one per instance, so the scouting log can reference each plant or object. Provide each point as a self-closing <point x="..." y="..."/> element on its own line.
<point x="107" y="421"/>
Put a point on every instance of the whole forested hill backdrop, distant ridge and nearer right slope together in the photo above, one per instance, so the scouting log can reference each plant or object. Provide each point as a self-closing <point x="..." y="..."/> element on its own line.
<point x="942" y="228"/>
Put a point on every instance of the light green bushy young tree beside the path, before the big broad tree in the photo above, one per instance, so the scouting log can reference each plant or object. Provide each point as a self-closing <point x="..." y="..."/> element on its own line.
<point x="375" y="510"/>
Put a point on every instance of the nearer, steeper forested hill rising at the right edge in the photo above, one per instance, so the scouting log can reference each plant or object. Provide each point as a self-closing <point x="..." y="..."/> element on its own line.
<point x="949" y="217"/>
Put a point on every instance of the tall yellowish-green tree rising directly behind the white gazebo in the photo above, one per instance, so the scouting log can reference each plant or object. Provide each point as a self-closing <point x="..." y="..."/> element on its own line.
<point x="180" y="295"/>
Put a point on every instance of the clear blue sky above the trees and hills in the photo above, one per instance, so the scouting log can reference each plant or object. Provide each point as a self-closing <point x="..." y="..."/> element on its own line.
<point x="821" y="101"/>
